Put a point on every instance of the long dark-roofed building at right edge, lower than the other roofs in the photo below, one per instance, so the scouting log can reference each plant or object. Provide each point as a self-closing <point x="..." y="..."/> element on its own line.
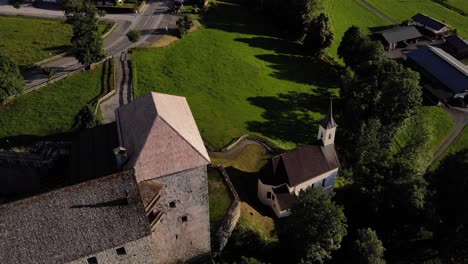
<point x="441" y="69"/>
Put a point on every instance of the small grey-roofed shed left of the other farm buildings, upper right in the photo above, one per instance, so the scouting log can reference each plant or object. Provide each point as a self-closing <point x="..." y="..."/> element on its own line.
<point x="399" y="36"/>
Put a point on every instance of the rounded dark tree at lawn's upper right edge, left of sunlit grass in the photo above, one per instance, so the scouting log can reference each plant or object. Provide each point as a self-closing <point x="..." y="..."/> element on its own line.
<point x="319" y="35"/>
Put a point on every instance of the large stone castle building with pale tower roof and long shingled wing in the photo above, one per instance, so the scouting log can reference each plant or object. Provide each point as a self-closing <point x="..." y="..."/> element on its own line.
<point x="152" y="209"/>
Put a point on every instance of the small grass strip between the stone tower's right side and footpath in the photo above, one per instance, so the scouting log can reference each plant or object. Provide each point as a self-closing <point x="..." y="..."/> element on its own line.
<point x="220" y="198"/>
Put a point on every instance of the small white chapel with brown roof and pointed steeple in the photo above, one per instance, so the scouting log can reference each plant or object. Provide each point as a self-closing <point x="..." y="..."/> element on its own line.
<point x="287" y="174"/>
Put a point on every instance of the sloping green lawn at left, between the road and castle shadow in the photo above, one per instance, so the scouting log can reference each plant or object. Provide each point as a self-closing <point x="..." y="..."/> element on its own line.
<point x="52" y="109"/>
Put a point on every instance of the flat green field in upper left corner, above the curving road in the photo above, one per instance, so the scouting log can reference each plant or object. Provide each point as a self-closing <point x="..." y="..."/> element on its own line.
<point x="29" y="40"/>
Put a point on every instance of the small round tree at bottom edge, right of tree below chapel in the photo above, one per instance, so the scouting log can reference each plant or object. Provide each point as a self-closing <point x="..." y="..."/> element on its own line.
<point x="368" y="248"/>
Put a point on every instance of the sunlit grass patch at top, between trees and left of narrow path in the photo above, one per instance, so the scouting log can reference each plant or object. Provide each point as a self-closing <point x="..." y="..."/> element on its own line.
<point x="344" y="14"/>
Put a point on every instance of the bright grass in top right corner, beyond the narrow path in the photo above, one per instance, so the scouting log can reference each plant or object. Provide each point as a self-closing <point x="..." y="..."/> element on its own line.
<point x="402" y="10"/>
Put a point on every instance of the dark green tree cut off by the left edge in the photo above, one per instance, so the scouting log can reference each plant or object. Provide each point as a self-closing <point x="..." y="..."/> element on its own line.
<point x="11" y="81"/>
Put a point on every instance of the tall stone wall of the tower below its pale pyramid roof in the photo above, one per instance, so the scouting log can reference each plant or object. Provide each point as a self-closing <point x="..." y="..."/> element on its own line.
<point x="184" y="231"/>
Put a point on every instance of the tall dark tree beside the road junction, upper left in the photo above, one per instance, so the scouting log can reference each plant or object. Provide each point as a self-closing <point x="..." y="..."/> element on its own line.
<point x="86" y="39"/>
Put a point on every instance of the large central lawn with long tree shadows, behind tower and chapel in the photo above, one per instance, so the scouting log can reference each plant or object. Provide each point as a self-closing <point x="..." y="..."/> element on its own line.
<point x="240" y="78"/>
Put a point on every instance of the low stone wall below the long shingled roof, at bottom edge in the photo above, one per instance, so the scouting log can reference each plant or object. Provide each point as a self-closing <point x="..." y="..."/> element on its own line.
<point x="138" y="251"/>
